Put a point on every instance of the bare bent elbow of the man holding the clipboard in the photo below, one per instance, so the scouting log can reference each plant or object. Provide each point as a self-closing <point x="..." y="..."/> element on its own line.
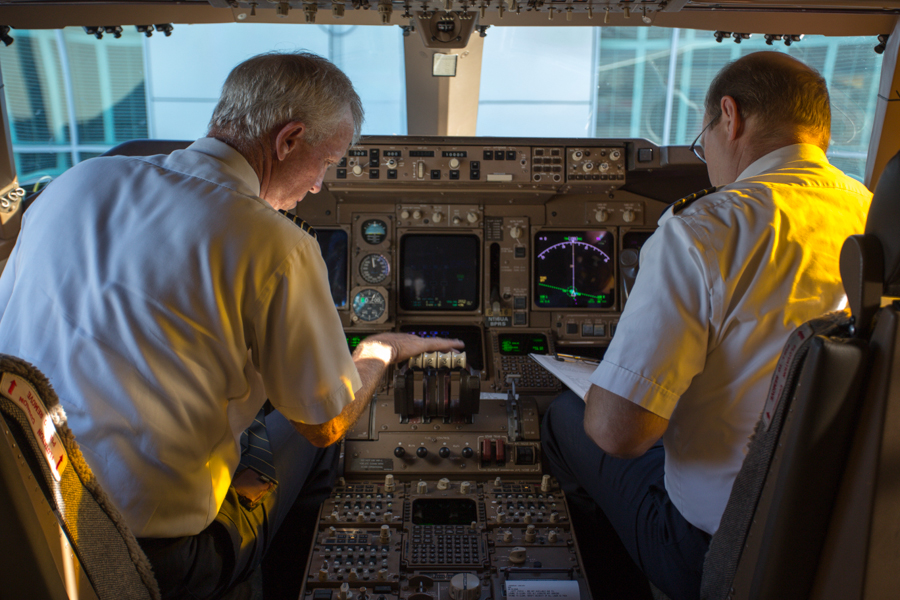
<point x="620" y="427"/>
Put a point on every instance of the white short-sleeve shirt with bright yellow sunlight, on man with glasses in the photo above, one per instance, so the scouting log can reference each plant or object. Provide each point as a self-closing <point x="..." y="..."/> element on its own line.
<point x="721" y="286"/>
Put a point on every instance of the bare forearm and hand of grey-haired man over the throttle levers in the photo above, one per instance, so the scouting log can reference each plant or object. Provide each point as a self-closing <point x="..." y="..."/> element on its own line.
<point x="372" y="357"/>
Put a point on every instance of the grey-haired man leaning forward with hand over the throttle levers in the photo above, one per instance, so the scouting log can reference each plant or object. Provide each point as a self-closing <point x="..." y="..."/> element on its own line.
<point x="167" y="299"/>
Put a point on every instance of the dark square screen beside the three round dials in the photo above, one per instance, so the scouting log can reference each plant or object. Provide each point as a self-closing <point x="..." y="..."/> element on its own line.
<point x="439" y="272"/>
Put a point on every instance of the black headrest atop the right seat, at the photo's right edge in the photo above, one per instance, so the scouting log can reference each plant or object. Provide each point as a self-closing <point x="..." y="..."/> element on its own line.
<point x="884" y="223"/>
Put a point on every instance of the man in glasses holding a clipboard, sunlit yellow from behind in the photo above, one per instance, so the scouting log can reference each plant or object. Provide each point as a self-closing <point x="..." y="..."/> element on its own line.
<point x="651" y="453"/>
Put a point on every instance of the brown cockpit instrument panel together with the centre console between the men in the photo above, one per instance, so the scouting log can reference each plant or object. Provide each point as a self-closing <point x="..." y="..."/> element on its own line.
<point x="516" y="247"/>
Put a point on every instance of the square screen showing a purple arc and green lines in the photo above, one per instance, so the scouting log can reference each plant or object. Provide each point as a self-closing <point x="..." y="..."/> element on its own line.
<point x="574" y="269"/>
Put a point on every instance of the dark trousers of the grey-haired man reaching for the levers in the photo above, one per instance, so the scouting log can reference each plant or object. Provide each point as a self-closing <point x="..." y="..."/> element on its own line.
<point x="210" y="563"/>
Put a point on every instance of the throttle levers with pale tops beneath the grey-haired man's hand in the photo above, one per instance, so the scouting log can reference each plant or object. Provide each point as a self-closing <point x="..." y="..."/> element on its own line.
<point x="449" y="389"/>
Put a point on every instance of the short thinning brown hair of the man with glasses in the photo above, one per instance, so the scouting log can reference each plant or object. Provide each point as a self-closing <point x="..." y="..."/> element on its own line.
<point x="787" y="99"/>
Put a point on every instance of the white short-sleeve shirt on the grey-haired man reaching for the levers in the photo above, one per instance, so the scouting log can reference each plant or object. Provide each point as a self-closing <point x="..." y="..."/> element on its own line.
<point x="165" y="301"/>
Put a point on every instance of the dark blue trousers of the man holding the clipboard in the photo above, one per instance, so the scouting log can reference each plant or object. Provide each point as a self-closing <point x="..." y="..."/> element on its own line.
<point x="624" y="495"/>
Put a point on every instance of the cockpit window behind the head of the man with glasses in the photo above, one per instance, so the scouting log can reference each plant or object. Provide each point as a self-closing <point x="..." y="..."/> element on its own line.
<point x="649" y="82"/>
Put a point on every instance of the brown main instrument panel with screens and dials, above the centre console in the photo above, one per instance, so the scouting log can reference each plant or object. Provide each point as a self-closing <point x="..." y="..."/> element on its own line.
<point x="509" y="244"/>
